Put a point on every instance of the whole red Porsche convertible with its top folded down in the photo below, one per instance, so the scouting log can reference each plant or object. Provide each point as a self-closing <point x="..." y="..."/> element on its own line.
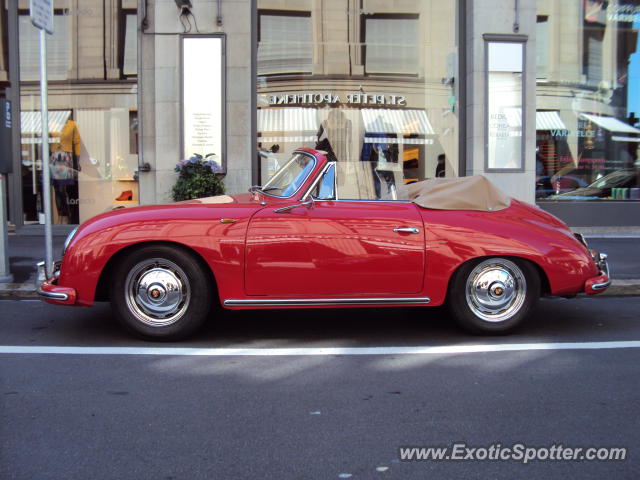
<point x="326" y="234"/>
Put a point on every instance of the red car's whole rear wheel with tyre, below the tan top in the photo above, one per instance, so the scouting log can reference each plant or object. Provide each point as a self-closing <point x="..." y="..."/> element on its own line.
<point x="493" y="295"/>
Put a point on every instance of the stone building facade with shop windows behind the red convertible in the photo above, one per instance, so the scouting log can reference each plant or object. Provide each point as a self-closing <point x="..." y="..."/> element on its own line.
<point x="540" y="96"/>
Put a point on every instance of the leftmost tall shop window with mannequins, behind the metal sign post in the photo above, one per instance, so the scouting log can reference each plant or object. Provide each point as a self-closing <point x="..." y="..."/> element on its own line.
<point x="93" y="124"/>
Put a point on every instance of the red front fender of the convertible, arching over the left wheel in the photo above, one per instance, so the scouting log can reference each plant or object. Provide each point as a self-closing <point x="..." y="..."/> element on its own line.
<point x="198" y="228"/>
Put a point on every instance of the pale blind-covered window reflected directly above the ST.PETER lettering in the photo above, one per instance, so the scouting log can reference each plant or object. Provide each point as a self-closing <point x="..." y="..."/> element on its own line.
<point x="390" y="44"/>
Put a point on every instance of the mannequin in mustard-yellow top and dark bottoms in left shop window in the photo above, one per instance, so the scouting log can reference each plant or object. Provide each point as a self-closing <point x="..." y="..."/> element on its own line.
<point x="64" y="172"/>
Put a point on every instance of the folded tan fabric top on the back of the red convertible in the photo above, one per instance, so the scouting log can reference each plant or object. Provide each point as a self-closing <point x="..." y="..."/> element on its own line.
<point x="464" y="193"/>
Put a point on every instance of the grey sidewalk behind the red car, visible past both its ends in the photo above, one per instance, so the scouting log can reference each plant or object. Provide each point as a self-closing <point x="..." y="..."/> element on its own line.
<point x="26" y="248"/>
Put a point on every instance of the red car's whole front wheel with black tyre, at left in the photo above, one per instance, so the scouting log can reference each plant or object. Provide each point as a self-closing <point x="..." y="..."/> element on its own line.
<point x="161" y="293"/>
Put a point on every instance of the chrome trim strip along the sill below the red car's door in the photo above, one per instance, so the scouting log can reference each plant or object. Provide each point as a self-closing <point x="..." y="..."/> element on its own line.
<point x="310" y="302"/>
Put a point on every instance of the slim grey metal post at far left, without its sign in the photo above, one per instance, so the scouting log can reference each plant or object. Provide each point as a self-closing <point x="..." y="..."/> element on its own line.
<point x="46" y="177"/>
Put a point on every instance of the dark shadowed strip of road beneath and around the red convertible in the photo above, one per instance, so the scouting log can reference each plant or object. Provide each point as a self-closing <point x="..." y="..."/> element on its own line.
<point x="554" y="320"/>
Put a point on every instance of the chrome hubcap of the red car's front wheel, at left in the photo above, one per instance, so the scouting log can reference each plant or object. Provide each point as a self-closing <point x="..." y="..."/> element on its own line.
<point x="157" y="292"/>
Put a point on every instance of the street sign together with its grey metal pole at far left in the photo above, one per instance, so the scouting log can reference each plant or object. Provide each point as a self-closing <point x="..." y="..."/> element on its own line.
<point x="42" y="18"/>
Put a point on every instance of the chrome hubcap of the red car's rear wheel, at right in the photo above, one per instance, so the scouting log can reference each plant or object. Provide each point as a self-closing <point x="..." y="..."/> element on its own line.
<point x="496" y="290"/>
